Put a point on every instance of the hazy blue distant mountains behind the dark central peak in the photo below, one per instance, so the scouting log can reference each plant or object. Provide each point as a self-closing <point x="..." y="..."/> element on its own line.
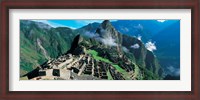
<point x="166" y="36"/>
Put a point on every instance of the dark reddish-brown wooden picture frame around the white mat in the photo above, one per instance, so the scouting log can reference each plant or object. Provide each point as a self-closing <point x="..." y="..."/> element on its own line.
<point x="5" y="94"/>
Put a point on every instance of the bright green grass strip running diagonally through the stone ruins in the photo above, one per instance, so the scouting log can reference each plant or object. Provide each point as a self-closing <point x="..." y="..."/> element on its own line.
<point x="118" y="68"/>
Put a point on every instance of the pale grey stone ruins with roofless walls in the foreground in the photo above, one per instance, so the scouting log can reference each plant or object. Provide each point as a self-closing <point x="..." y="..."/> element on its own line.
<point x="68" y="67"/>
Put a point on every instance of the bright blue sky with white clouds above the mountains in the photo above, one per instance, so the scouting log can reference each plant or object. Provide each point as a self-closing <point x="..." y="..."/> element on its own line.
<point x="74" y="24"/>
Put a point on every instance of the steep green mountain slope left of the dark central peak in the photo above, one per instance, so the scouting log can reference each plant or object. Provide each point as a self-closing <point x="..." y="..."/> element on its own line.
<point x="40" y="42"/>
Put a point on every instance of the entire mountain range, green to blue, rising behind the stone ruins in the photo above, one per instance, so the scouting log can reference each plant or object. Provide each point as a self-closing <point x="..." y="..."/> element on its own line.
<point x="114" y="41"/>
